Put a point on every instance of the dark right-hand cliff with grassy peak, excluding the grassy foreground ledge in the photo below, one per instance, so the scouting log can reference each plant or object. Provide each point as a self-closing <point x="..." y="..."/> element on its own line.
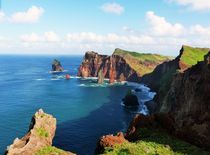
<point x="183" y="93"/>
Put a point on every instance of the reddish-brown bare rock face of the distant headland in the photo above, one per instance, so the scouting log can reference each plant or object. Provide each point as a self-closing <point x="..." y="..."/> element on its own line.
<point x="113" y="67"/>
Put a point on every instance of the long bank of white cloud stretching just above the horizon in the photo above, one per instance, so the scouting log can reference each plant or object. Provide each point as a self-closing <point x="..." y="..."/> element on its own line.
<point x="160" y="37"/>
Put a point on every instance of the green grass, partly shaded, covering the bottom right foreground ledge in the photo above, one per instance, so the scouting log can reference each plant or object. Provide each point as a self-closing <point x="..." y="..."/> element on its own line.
<point x="155" y="143"/>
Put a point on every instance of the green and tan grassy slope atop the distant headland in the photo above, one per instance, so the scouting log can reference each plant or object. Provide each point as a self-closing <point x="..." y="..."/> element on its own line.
<point x="141" y="63"/>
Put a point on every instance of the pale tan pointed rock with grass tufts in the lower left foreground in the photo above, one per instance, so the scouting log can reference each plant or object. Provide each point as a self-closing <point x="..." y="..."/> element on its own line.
<point x="38" y="139"/>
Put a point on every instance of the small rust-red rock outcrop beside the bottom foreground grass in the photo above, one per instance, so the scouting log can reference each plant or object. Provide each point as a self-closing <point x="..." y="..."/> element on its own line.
<point x="109" y="141"/>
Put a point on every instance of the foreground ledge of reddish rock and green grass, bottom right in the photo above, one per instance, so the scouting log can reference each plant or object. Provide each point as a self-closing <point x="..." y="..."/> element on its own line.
<point x="146" y="135"/>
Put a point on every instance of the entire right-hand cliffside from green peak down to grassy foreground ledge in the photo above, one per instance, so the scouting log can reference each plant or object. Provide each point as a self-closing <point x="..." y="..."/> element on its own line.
<point x="182" y="109"/>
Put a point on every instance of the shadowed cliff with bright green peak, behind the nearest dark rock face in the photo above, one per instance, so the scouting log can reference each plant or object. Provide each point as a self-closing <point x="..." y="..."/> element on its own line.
<point x="161" y="78"/>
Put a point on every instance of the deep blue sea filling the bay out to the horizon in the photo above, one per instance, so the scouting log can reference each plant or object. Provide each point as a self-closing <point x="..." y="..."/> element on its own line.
<point x="84" y="110"/>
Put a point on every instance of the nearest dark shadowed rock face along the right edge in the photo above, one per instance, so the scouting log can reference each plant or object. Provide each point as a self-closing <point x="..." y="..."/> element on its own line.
<point x="189" y="103"/>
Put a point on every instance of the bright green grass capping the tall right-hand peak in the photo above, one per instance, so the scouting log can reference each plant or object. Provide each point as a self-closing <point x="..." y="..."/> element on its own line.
<point x="192" y="55"/>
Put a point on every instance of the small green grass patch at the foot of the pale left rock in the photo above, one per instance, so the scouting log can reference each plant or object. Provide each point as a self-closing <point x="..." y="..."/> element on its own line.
<point x="50" y="150"/>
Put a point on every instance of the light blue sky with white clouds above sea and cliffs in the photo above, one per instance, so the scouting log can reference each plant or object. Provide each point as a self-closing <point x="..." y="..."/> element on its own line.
<point x="75" y="26"/>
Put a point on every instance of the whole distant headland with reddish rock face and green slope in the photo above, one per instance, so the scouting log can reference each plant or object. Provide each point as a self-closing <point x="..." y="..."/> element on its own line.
<point x="121" y="65"/>
